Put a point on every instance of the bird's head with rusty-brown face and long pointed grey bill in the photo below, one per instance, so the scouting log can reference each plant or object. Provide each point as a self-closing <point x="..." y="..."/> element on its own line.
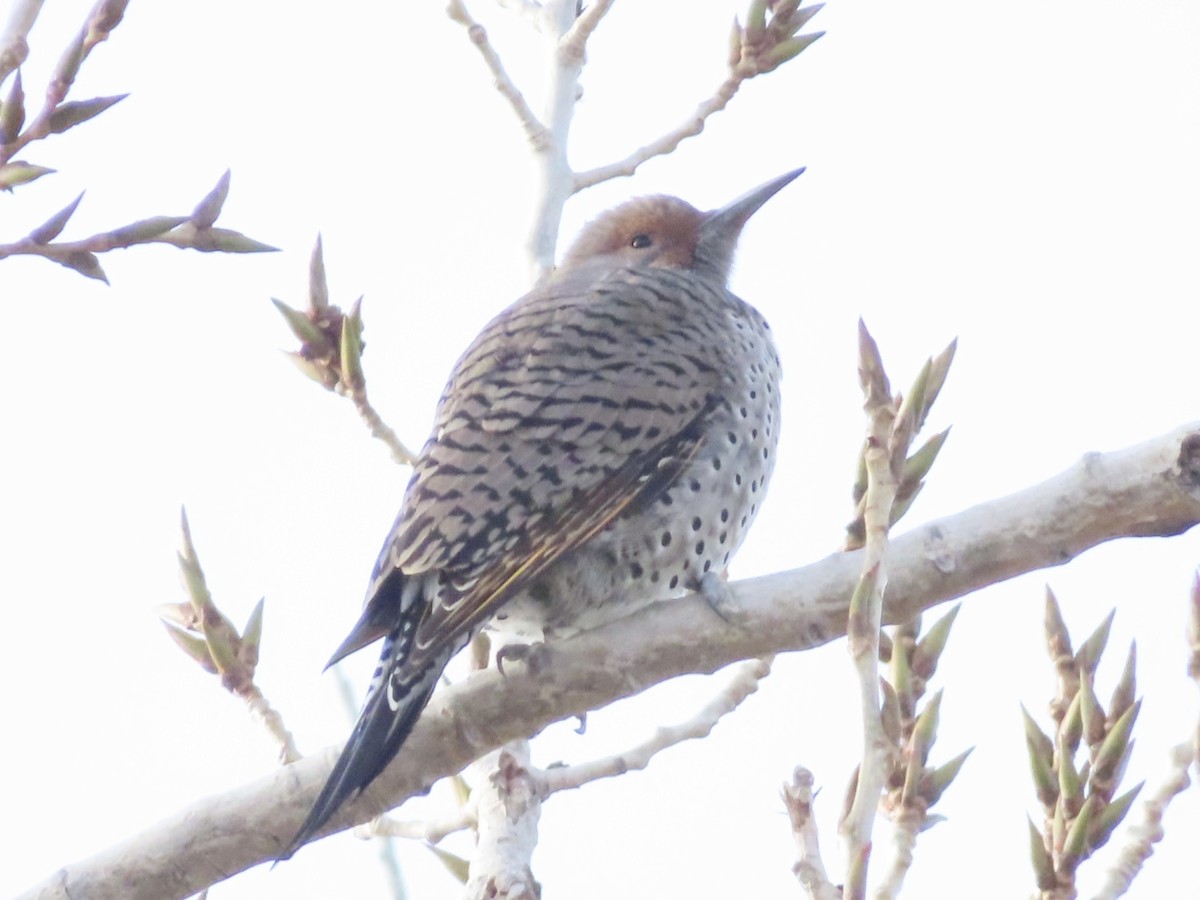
<point x="668" y="232"/>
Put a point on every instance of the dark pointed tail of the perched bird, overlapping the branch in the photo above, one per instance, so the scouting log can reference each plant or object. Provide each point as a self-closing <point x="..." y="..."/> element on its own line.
<point x="394" y="704"/>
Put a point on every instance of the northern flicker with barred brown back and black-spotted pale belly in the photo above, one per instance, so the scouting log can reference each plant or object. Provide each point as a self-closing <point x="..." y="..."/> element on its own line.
<point x="604" y="443"/>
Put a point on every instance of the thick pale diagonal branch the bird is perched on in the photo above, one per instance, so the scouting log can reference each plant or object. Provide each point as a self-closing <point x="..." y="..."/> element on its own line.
<point x="1153" y="489"/>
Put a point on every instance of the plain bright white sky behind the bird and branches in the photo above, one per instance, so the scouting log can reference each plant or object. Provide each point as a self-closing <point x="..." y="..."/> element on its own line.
<point x="1023" y="179"/>
